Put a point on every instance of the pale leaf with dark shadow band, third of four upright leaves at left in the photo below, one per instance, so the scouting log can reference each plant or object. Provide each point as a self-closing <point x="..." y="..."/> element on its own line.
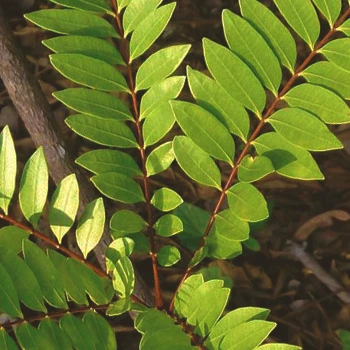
<point x="64" y="206"/>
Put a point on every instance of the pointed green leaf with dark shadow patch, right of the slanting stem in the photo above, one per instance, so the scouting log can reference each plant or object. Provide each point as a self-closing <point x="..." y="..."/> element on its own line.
<point x="288" y="160"/>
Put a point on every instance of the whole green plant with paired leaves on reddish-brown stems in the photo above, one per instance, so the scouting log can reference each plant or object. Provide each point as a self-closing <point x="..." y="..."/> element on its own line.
<point x="225" y="128"/>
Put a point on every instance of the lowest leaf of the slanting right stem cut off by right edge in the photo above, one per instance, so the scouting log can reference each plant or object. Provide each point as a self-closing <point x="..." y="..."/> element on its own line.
<point x="322" y="102"/>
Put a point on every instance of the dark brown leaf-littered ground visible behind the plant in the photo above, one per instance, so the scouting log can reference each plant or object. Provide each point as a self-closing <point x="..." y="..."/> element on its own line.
<point x="315" y="214"/>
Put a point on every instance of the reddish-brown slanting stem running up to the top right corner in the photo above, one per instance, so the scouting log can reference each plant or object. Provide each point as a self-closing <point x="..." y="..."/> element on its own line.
<point x="254" y="135"/>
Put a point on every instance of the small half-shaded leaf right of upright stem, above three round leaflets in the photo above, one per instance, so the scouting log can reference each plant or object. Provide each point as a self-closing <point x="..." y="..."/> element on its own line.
<point x="160" y="159"/>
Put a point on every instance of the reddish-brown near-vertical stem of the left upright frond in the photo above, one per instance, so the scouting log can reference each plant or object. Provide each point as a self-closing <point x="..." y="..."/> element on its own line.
<point x="146" y="183"/>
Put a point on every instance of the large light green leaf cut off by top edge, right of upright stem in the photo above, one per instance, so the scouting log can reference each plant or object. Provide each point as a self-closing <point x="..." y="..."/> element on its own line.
<point x="136" y="11"/>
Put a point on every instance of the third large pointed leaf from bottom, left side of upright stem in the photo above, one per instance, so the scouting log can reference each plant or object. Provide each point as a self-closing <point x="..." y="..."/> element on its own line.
<point x="108" y="133"/>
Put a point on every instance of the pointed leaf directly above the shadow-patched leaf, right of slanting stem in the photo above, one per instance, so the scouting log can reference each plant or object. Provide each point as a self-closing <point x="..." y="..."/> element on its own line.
<point x="303" y="129"/>
